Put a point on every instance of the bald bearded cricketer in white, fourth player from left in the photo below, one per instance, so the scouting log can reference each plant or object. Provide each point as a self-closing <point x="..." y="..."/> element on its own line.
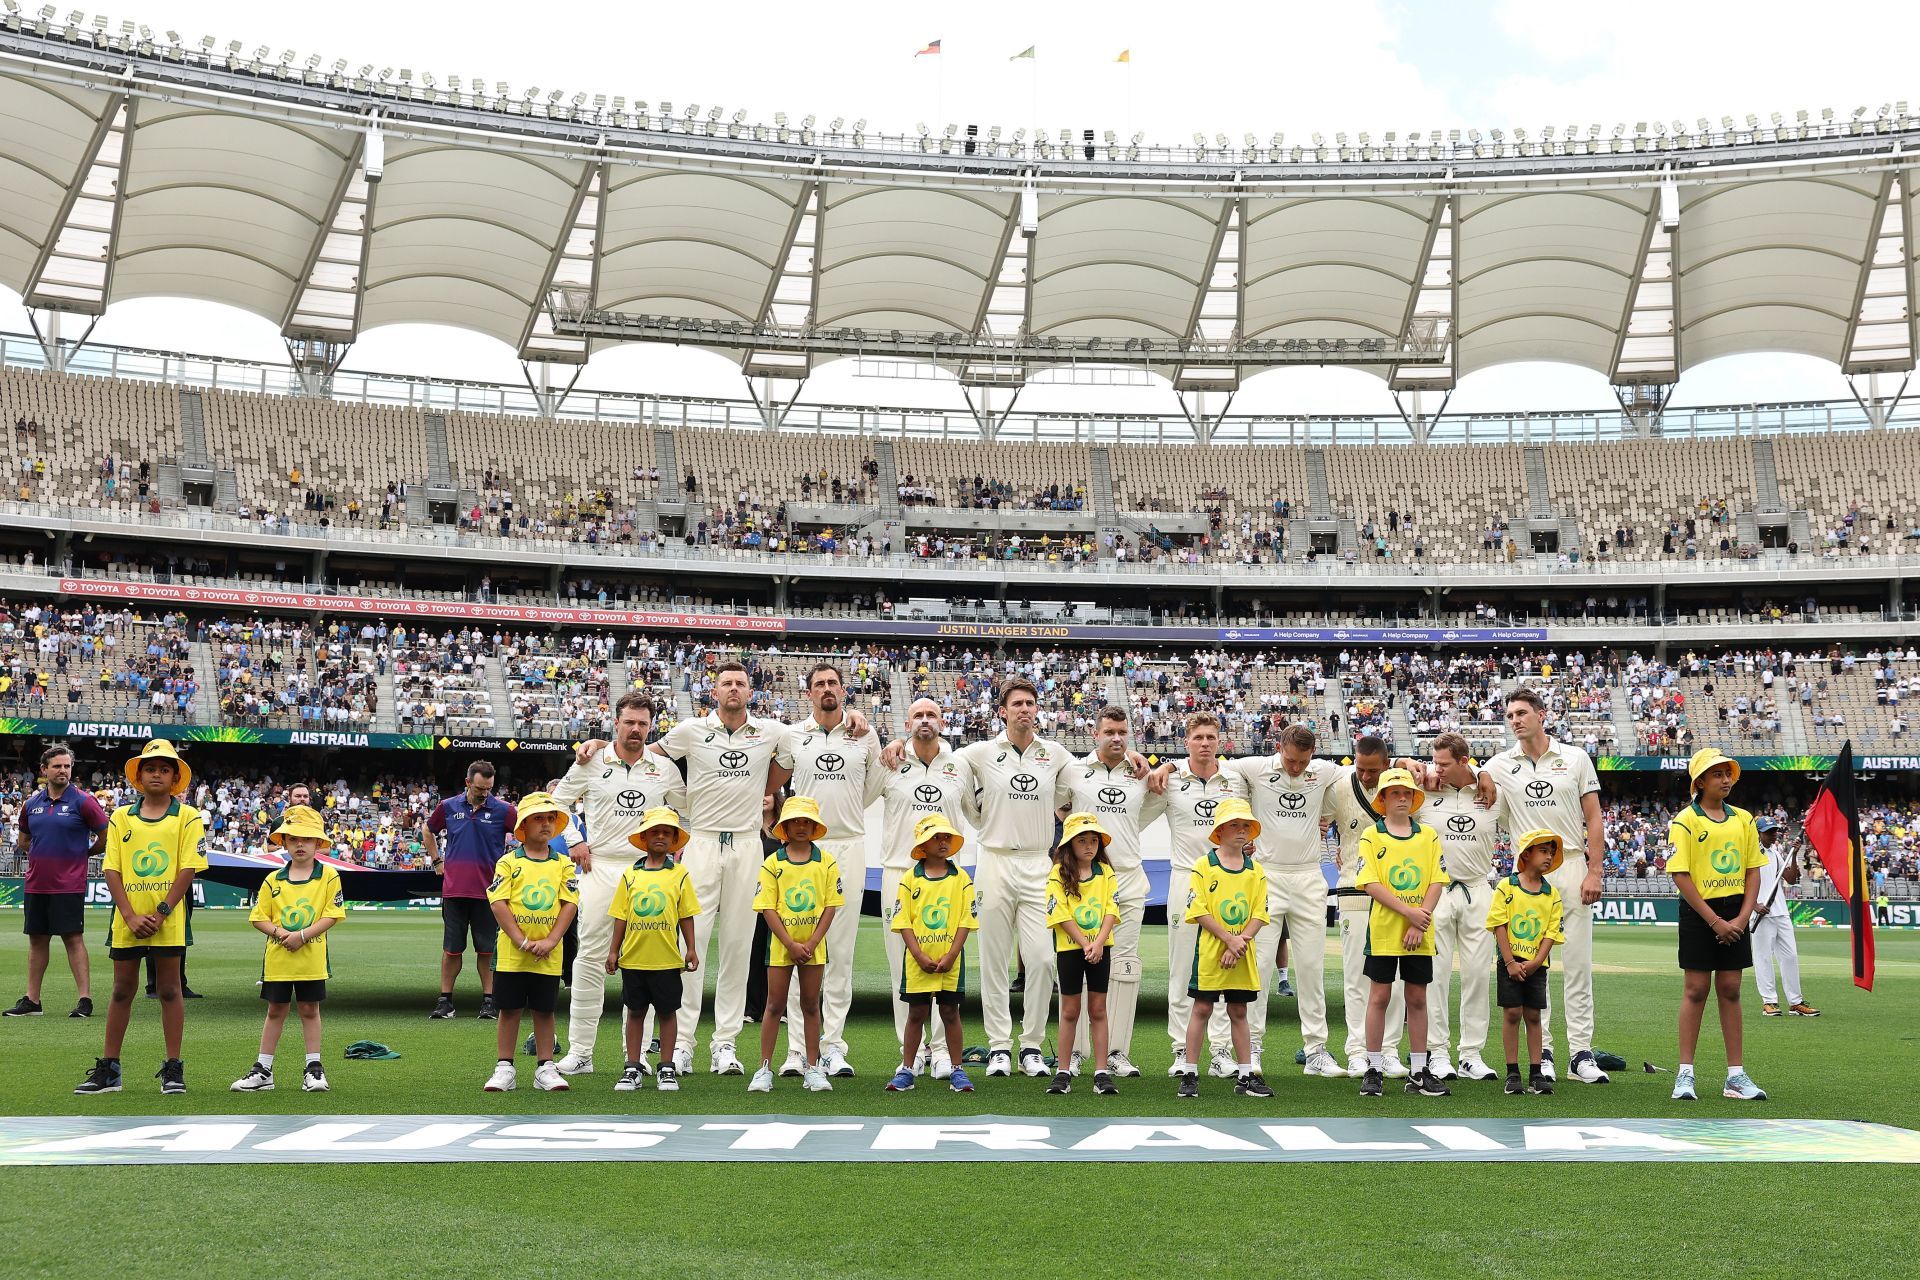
<point x="928" y="778"/>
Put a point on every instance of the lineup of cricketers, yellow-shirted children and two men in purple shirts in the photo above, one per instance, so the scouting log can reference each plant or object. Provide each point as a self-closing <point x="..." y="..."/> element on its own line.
<point x="663" y="876"/>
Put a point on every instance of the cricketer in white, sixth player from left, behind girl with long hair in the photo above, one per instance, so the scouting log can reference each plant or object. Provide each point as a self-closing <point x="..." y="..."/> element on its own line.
<point x="1105" y="786"/>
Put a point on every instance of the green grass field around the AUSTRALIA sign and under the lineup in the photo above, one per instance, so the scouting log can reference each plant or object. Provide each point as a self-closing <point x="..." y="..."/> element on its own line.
<point x="740" y="1220"/>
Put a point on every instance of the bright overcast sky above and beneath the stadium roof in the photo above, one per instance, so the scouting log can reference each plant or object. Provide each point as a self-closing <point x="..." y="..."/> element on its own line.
<point x="1228" y="68"/>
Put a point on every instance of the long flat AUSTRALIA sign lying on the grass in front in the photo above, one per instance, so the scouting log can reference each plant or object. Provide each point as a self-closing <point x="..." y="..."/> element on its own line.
<point x="477" y="1139"/>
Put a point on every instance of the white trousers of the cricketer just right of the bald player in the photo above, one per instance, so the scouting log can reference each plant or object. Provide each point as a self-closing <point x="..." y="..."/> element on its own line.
<point x="1011" y="893"/>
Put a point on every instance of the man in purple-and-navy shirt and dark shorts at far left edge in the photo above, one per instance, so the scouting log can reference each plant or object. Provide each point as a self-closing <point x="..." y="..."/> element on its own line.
<point x="60" y="828"/>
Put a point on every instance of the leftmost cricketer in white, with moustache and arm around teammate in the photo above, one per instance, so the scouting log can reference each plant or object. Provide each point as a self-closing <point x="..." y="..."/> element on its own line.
<point x="619" y="782"/>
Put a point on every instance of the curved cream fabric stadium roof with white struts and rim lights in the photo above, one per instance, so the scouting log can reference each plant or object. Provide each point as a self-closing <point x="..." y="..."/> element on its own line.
<point x="337" y="204"/>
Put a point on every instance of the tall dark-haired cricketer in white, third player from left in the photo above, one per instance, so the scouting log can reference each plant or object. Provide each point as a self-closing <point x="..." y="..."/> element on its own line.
<point x="844" y="776"/>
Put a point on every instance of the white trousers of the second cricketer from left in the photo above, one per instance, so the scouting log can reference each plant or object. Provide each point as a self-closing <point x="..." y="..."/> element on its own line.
<point x="725" y="868"/>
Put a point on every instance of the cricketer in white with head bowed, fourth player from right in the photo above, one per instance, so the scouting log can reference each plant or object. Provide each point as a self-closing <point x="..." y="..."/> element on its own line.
<point x="1289" y="794"/>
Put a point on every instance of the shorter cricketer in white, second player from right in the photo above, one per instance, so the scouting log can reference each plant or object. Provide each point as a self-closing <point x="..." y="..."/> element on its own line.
<point x="1470" y="834"/>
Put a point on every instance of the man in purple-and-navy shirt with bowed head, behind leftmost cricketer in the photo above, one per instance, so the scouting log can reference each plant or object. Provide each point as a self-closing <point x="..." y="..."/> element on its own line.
<point x="466" y="840"/>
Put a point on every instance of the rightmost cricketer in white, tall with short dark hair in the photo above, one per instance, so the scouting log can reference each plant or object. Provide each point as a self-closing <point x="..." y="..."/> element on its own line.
<point x="1554" y="786"/>
